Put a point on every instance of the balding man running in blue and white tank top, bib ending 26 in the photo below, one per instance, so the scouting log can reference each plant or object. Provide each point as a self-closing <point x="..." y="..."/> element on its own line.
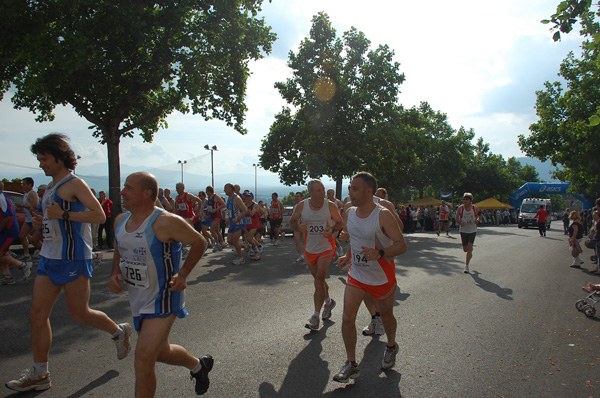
<point x="151" y="238"/>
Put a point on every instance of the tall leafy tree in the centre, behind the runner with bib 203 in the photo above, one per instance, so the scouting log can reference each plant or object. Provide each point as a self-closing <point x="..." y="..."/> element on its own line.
<point x="342" y="101"/>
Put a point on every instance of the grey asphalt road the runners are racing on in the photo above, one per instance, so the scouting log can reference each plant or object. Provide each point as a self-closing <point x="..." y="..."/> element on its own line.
<point x="509" y="329"/>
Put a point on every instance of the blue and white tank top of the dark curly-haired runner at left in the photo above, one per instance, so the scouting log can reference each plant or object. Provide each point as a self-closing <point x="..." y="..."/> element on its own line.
<point x="65" y="240"/>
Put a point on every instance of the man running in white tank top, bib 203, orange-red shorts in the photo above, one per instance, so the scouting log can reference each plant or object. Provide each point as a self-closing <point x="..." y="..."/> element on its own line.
<point x="320" y="219"/>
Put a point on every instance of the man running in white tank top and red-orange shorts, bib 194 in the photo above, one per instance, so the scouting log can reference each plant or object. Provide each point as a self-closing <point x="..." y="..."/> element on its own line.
<point x="375" y="239"/>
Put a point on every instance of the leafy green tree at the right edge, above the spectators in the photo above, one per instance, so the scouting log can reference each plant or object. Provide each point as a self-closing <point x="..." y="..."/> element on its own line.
<point x="563" y="133"/>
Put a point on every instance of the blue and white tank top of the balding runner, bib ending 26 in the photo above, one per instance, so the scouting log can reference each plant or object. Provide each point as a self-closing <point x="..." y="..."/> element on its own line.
<point x="148" y="265"/>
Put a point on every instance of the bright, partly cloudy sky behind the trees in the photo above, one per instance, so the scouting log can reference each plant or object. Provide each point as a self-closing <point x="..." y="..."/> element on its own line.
<point x="478" y="61"/>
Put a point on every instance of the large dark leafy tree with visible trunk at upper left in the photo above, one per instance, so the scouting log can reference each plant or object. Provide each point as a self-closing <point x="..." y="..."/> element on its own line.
<point x="126" y="65"/>
